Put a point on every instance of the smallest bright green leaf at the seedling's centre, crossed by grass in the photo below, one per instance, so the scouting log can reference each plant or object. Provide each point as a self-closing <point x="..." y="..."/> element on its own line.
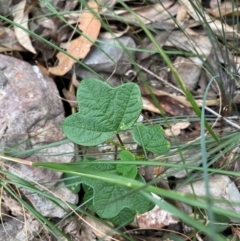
<point x="127" y="170"/>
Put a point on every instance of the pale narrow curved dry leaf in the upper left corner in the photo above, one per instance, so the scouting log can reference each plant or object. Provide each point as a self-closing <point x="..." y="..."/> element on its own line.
<point x="19" y="17"/>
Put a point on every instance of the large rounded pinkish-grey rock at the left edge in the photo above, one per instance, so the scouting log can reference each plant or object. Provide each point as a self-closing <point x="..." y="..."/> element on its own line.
<point x="29" y="105"/>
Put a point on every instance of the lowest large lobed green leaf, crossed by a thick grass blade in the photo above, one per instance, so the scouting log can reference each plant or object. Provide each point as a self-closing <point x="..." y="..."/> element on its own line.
<point x="109" y="199"/>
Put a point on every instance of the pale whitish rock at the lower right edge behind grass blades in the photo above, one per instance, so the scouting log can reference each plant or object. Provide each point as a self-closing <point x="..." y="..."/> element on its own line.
<point x="221" y="188"/>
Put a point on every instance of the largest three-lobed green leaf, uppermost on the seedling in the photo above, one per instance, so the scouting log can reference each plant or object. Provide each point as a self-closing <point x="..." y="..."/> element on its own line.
<point x="104" y="111"/>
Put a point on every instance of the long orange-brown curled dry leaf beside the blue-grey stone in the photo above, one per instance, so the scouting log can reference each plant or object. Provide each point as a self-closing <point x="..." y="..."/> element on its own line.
<point x="78" y="48"/>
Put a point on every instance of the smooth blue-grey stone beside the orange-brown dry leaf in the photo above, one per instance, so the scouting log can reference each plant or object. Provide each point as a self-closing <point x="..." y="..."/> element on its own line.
<point x="110" y="56"/>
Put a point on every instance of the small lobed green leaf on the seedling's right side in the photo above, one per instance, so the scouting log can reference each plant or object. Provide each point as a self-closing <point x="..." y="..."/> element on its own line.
<point x="151" y="137"/>
